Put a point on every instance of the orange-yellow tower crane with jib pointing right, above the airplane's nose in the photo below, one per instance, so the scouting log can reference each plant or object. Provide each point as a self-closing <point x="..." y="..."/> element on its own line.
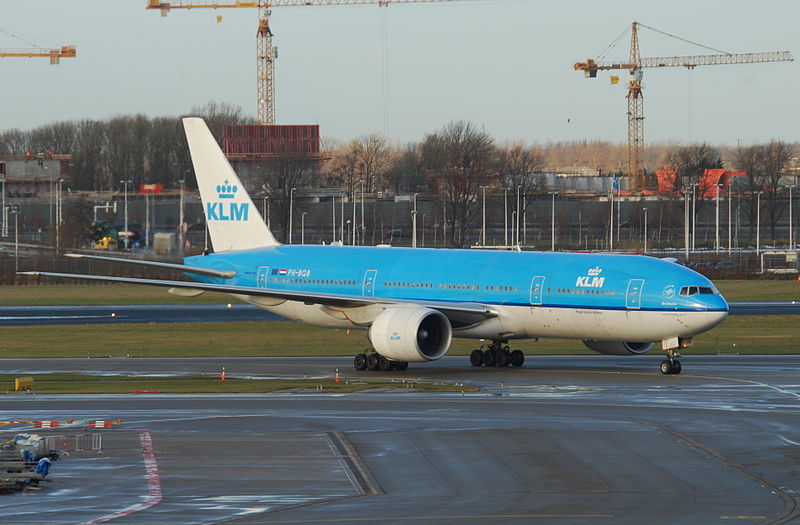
<point x="636" y="64"/>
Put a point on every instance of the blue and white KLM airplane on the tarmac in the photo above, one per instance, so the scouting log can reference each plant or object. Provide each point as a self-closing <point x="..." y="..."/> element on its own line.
<point x="413" y="301"/>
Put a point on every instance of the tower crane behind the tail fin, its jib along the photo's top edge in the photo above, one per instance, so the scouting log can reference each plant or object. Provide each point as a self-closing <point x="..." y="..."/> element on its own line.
<point x="266" y="52"/>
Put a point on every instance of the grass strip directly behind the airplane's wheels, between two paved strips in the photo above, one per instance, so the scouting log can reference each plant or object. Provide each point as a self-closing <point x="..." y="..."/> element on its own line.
<point x="739" y="334"/>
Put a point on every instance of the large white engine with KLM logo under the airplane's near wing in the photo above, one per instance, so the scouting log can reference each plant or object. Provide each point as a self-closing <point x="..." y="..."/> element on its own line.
<point x="411" y="334"/>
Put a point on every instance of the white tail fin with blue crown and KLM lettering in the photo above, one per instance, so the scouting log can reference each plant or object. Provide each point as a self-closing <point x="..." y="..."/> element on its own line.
<point x="234" y="222"/>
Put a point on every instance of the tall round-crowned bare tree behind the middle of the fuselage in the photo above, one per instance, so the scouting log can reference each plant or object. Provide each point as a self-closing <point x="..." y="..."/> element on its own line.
<point x="459" y="158"/>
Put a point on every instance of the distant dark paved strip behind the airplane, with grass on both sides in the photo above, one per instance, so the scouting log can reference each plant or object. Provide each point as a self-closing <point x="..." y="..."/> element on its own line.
<point x="191" y="313"/>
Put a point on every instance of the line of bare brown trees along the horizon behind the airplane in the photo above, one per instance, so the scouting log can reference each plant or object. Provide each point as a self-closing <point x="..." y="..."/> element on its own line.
<point x="457" y="163"/>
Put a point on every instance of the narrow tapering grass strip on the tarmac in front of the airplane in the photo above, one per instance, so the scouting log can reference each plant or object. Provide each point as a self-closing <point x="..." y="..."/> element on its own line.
<point x="92" y="384"/>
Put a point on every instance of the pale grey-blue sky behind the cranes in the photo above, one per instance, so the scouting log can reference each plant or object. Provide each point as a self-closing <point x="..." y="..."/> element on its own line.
<point x="502" y="64"/>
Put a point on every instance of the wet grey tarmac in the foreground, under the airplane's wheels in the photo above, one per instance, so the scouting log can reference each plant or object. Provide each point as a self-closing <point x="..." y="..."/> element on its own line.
<point x="583" y="439"/>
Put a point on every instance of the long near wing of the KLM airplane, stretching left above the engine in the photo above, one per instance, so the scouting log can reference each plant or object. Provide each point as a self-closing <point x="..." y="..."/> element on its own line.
<point x="463" y="313"/>
